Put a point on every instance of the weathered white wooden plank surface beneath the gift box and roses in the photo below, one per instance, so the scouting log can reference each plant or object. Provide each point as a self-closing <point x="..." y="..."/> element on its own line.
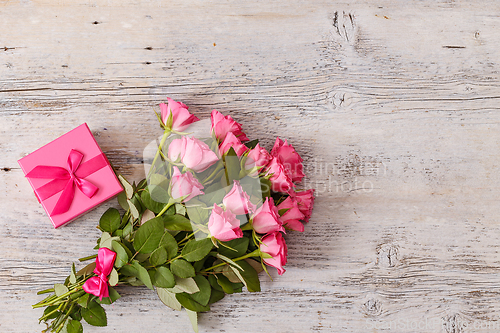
<point x="394" y="106"/>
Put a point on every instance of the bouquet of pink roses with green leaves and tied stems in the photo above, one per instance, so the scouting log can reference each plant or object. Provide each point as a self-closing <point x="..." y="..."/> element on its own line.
<point x="207" y="219"/>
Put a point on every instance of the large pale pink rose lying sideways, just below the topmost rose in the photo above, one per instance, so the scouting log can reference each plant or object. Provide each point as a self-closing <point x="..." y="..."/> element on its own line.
<point x="193" y="153"/>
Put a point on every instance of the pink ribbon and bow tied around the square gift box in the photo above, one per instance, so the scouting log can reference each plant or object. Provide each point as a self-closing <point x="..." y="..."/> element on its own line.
<point x="65" y="179"/>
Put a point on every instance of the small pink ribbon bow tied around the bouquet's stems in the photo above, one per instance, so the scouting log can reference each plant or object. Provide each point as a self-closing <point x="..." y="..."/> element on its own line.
<point x="98" y="285"/>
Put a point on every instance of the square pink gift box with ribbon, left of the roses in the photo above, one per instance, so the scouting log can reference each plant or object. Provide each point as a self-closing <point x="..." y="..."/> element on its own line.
<point x="70" y="175"/>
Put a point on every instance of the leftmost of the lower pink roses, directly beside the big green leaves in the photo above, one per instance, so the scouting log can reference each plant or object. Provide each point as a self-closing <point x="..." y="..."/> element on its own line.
<point x="224" y="225"/>
